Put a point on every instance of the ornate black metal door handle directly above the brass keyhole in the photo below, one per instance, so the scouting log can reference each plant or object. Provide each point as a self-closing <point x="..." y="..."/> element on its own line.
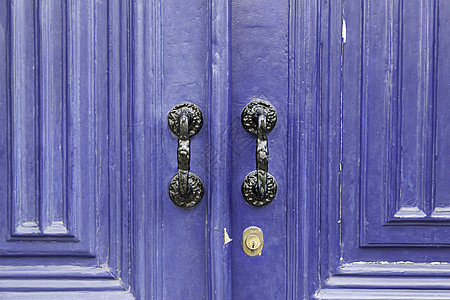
<point x="259" y="187"/>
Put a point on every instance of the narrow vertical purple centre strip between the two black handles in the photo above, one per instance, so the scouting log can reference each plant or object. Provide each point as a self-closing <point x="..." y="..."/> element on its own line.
<point x="218" y="223"/>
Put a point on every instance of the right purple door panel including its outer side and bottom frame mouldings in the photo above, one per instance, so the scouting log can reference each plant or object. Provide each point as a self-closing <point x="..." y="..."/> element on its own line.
<point x="393" y="232"/>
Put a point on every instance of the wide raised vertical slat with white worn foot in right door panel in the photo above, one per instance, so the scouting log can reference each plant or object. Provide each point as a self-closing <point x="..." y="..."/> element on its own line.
<point x="411" y="105"/>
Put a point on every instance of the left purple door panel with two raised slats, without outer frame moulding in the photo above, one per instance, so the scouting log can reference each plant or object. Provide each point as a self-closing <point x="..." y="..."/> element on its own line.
<point x="50" y="137"/>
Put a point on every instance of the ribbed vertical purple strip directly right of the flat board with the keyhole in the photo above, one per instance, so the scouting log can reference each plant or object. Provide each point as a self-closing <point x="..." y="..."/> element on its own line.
<point x="303" y="207"/>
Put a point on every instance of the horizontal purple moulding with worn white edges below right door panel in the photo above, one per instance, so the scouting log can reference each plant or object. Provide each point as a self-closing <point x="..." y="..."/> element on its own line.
<point x="392" y="281"/>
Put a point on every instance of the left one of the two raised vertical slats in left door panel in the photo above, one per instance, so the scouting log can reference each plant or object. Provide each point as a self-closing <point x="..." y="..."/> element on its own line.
<point x="25" y="120"/>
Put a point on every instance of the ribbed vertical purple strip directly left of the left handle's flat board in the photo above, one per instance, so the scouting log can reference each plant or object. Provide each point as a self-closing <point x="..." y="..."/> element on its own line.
<point x="144" y="148"/>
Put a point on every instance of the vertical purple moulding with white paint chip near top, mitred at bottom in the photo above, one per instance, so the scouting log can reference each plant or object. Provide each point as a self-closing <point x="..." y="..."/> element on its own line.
<point x="333" y="36"/>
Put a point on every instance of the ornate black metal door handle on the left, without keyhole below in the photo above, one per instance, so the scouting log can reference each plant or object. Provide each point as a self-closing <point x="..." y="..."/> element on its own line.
<point x="186" y="188"/>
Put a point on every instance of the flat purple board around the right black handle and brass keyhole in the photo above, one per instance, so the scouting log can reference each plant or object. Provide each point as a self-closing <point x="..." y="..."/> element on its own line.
<point x="259" y="50"/>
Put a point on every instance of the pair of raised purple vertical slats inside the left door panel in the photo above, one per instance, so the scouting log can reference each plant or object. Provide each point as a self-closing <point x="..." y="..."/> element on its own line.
<point x="40" y="205"/>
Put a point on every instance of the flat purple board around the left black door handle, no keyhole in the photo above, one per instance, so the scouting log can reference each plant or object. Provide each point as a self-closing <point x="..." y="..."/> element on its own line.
<point x="185" y="69"/>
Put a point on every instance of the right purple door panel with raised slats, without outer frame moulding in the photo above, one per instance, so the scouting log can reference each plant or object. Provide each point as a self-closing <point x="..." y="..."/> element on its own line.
<point x="403" y="183"/>
